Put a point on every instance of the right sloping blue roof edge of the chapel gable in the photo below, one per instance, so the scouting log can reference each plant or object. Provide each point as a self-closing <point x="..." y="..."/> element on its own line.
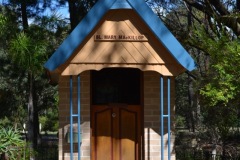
<point x="163" y="34"/>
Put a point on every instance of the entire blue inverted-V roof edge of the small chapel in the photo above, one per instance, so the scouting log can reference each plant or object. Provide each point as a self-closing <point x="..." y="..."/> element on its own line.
<point x="84" y="28"/>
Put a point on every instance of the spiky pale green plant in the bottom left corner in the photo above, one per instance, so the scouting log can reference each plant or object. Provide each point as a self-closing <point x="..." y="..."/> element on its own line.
<point x="10" y="143"/>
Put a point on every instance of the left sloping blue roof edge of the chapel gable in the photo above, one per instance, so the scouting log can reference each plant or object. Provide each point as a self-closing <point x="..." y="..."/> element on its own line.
<point x="78" y="35"/>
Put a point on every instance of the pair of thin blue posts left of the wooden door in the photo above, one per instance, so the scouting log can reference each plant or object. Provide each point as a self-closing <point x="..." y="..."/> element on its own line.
<point x="77" y="115"/>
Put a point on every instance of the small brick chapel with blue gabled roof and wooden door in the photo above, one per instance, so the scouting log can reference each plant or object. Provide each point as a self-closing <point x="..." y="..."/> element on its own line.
<point x="116" y="73"/>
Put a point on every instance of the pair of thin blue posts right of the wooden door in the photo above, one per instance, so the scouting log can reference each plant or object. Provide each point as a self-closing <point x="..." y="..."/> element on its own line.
<point x="165" y="116"/>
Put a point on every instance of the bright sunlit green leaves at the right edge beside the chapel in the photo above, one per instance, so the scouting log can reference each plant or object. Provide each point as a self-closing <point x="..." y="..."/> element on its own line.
<point x="225" y="72"/>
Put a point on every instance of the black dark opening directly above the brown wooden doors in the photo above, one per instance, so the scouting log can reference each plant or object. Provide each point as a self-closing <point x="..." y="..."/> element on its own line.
<point x="116" y="85"/>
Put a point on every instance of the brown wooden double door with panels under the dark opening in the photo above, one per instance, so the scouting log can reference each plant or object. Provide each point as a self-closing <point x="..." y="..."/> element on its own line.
<point x="116" y="132"/>
